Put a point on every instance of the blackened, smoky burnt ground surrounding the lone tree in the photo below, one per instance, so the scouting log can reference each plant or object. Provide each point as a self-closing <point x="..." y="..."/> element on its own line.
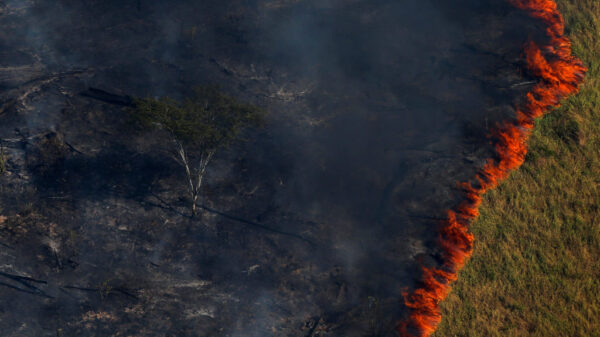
<point x="313" y="226"/>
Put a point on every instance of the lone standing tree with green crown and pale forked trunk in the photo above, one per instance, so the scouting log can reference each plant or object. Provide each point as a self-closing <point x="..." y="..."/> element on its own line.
<point x="198" y="127"/>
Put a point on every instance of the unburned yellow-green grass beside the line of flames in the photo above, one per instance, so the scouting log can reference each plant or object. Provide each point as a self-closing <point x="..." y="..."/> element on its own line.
<point x="535" y="270"/>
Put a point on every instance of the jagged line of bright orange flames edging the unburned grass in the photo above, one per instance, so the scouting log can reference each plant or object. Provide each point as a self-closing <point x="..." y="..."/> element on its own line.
<point x="559" y="75"/>
